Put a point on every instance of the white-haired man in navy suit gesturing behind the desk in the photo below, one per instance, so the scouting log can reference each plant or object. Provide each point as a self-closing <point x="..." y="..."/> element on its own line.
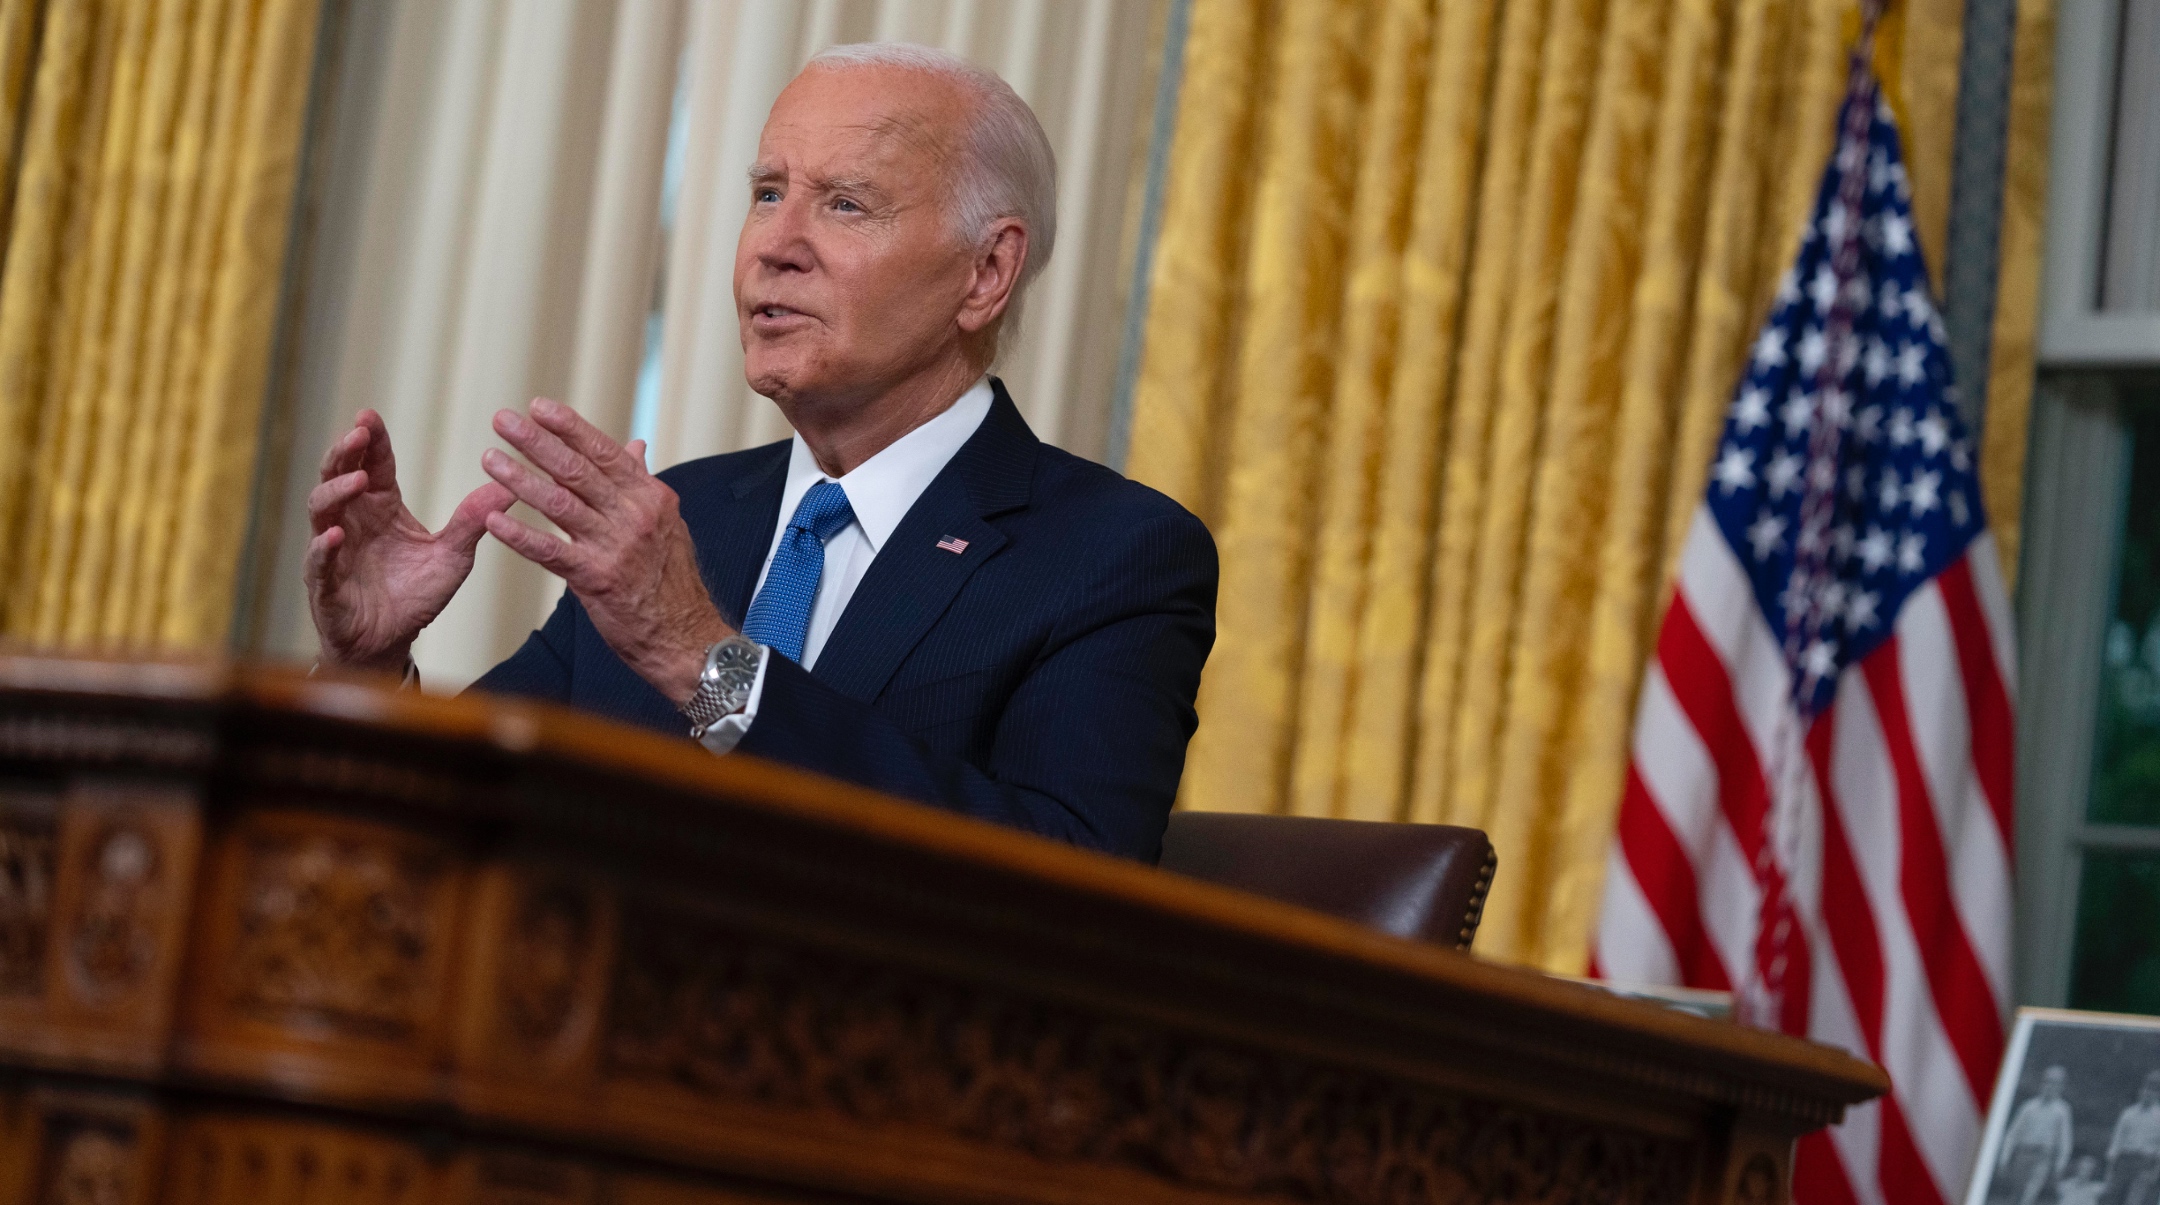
<point x="915" y="593"/>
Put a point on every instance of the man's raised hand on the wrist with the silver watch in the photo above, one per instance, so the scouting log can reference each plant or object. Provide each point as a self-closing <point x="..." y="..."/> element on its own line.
<point x="627" y="558"/>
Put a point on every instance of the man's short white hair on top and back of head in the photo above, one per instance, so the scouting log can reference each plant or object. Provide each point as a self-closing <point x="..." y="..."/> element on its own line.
<point x="1008" y="167"/>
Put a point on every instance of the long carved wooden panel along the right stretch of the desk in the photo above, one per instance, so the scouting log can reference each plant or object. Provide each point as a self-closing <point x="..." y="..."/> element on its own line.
<point x="727" y="1016"/>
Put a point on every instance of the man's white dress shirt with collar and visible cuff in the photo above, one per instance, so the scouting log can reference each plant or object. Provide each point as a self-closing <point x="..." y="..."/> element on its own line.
<point x="880" y="491"/>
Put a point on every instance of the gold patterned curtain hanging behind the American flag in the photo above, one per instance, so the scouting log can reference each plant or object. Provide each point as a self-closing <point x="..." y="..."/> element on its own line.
<point x="1446" y="312"/>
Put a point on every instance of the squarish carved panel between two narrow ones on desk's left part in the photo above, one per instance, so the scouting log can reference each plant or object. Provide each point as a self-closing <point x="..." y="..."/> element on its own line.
<point x="336" y="930"/>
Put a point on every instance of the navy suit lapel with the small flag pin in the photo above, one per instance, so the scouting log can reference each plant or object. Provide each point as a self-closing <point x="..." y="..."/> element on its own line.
<point x="919" y="573"/>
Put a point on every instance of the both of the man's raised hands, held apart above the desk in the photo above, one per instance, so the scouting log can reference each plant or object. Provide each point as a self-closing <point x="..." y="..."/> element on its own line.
<point x="377" y="576"/>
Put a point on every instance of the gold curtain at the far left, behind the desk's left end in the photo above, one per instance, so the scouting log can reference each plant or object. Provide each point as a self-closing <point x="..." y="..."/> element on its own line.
<point x="152" y="157"/>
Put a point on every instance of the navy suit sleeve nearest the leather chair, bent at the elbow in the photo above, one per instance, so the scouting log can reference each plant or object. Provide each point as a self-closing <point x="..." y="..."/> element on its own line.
<point x="1094" y="740"/>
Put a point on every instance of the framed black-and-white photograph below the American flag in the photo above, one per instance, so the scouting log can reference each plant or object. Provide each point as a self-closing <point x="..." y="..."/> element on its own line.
<point x="2077" y="1113"/>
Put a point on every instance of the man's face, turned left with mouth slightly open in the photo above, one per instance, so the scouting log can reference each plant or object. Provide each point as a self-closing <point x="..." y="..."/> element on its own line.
<point x="848" y="275"/>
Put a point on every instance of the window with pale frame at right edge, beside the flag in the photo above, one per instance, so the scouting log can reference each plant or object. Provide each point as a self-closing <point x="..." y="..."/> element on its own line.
<point x="2090" y="582"/>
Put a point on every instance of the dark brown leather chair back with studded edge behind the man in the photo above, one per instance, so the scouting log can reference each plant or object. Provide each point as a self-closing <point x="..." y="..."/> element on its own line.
<point x="1425" y="882"/>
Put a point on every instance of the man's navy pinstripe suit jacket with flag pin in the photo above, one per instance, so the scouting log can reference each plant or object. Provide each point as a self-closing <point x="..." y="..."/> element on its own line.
<point x="1040" y="679"/>
